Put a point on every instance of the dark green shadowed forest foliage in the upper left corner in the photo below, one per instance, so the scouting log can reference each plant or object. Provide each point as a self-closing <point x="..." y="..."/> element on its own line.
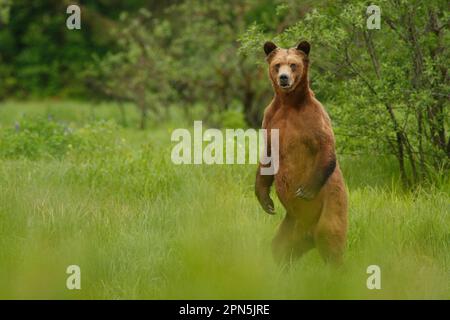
<point x="40" y="57"/>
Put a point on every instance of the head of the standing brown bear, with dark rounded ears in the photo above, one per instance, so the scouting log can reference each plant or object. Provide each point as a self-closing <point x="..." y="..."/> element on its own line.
<point x="287" y="67"/>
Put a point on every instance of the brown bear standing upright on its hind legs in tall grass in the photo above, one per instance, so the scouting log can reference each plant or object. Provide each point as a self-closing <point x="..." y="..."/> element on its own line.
<point x="309" y="182"/>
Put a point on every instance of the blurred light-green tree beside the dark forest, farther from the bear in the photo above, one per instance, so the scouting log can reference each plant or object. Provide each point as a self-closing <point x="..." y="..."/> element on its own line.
<point x="136" y="72"/>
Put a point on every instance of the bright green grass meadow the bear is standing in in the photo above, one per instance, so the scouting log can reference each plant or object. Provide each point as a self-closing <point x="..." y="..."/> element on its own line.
<point x="141" y="227"/>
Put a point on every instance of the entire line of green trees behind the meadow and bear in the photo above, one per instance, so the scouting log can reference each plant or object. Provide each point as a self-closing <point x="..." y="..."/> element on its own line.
<point x="387" y="90"/>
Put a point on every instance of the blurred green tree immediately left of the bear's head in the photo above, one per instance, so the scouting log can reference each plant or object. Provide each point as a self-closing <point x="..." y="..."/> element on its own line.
<point x="209" y="70"/>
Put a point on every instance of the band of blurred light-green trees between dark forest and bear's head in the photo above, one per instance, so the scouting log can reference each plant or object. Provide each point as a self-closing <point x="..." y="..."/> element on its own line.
<point x="176" y="60"/>
